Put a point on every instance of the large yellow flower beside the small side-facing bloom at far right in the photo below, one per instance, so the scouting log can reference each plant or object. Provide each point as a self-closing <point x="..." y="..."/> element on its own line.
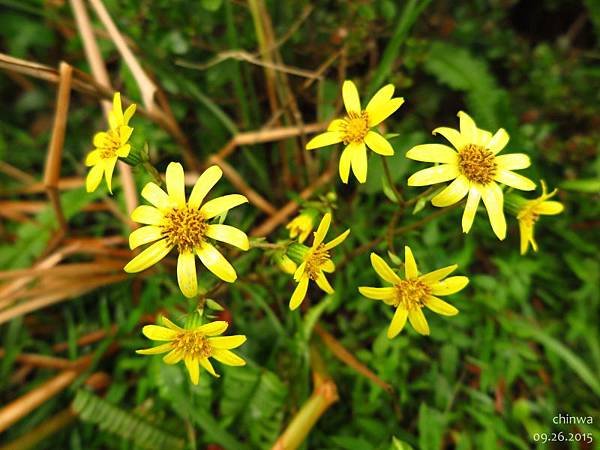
<point x="475" y="168"/>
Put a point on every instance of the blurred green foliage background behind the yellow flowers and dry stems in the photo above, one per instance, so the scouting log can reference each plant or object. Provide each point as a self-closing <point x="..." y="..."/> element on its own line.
<point x="525" y="345"/>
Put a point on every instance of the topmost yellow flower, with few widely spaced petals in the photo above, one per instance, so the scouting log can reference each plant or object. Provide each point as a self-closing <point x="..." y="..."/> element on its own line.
<point x="355" y="129"/>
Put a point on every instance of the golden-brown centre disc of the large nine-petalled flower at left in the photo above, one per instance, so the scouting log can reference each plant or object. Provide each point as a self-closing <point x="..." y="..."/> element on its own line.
<point x="185" y="228"/>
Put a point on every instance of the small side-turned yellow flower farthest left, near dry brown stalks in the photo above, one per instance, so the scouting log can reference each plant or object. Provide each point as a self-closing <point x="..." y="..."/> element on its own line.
<point x="109" y="146"/>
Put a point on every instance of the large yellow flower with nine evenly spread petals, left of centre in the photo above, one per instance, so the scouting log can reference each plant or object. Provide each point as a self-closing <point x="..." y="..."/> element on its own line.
<point x="174" y="223"/>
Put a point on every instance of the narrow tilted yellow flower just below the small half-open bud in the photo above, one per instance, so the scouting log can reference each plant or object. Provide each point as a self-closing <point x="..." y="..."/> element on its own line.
<point x="315" y="262"/>
